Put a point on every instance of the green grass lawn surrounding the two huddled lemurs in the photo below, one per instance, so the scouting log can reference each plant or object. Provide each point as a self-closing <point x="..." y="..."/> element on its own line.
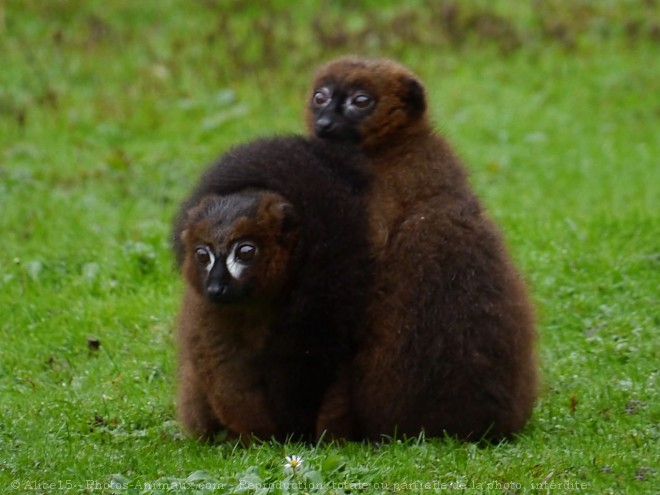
<point x="109" y="111"/>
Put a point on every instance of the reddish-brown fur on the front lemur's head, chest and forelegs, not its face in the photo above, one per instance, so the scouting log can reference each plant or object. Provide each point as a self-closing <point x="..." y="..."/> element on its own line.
<point x="223" y="346"/>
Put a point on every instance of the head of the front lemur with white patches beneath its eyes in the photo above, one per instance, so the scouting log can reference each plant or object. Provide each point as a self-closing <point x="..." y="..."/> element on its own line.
<point x="238" y="247"/>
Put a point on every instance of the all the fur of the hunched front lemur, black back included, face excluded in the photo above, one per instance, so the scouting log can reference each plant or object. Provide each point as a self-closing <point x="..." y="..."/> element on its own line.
<point x="274" y="358"/>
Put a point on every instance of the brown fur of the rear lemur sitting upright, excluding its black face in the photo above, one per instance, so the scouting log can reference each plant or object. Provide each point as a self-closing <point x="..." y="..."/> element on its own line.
<point x="449" y="346"/>
